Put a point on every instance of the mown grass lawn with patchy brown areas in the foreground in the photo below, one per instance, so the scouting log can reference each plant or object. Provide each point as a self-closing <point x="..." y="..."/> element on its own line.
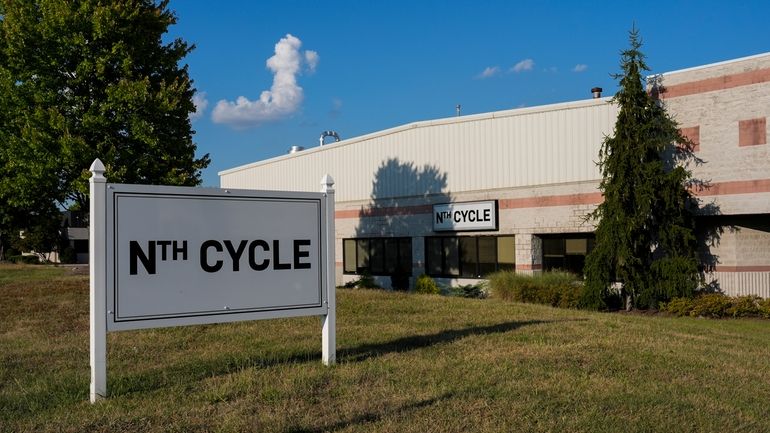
<point x="407" y="363"/>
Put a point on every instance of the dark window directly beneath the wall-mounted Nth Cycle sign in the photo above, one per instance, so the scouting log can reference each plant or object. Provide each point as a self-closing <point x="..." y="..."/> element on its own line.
<point x="469" y="256"/>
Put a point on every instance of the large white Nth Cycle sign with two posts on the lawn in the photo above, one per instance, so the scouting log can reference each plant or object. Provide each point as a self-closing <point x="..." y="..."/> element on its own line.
<point x="170" y="256"/>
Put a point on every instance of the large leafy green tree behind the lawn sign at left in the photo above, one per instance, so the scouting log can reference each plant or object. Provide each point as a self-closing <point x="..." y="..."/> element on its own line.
<point x="86" y="79"/>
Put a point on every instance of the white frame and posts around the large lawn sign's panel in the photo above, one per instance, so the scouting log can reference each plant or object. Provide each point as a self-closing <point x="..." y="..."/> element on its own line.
<point x="103" y="274"/>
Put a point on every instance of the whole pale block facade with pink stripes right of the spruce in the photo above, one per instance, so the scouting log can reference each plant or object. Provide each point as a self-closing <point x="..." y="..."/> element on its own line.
<point x="728" y="104"/>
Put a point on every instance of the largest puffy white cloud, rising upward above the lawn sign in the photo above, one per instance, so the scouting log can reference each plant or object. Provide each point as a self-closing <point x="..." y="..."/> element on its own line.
<point x="283" y="98"/>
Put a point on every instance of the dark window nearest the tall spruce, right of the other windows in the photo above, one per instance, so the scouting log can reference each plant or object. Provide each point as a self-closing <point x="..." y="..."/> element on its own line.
<point x="566" y="252"/>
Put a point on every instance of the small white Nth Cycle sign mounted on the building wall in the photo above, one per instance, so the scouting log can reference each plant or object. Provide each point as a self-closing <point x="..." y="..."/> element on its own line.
<point x="468" y="216"/>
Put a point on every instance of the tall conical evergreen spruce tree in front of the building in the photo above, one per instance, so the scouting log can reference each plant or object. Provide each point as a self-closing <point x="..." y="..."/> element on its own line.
<point x="645" y="237"/>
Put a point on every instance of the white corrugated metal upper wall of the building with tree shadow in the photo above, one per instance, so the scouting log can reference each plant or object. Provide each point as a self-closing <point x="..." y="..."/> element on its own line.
<point x="536" y="146"/>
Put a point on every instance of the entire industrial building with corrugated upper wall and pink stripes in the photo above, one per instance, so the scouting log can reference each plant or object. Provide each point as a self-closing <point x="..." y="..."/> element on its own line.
<point x="459" y="197"/>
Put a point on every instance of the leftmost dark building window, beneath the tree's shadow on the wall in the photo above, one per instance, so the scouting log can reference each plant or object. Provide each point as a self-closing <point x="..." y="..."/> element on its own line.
<point x="377" y="256"/>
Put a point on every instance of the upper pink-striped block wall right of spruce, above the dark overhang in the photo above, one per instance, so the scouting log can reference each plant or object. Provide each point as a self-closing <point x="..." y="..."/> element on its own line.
<point x="726" y="106"/>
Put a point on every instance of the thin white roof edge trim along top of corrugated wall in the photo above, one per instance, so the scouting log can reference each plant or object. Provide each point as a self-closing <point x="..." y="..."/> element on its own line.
<point x="425" y="123"/>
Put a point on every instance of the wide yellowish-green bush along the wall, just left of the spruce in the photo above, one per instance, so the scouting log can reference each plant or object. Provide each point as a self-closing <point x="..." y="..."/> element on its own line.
<point x="558" y="289"/>
